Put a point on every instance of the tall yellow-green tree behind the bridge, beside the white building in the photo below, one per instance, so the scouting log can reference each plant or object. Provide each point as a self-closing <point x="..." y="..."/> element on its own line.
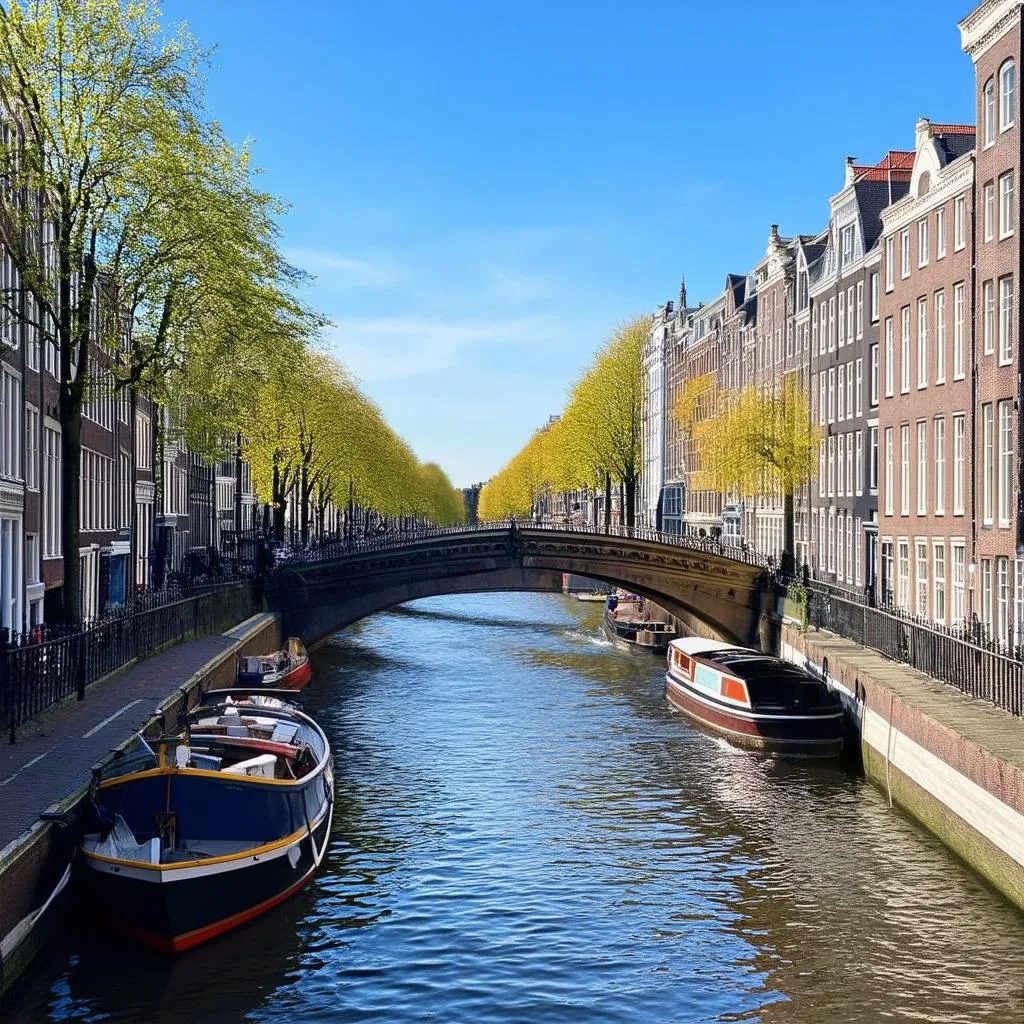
<point x="604" y="421"/>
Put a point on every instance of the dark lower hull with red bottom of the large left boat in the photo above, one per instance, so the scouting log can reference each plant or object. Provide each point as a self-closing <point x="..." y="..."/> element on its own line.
<point x="180" y="908"/>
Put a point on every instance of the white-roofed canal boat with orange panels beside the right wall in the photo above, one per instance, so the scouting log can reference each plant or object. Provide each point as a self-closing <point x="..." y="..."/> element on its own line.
<point x="754" y="700"/>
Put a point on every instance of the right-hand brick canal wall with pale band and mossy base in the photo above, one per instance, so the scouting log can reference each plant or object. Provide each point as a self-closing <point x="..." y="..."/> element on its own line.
<point x="955" y="763"/>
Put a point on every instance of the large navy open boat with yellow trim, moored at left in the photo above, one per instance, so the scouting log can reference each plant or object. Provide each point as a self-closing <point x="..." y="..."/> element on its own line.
<point x="199" y="834"/>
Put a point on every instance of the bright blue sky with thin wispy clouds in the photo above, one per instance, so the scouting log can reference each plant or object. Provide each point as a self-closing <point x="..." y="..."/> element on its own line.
<point x="486" y="191"/>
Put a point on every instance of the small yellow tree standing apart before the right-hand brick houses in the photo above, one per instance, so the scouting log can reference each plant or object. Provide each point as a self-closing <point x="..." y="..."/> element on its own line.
<point x="760" y="443"/>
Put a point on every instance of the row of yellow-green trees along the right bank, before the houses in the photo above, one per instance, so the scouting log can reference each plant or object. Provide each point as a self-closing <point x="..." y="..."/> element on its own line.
<point x="749" y="443"/>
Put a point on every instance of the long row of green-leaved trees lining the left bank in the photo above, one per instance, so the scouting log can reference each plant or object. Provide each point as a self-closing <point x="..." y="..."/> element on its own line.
<point x="132" y="221"/>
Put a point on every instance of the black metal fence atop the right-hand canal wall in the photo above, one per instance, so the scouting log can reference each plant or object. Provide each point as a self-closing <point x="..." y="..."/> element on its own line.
<point x="963" y="655"/>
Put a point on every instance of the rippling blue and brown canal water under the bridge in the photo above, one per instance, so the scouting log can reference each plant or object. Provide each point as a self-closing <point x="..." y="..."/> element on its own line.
<point x="525" y="832"/>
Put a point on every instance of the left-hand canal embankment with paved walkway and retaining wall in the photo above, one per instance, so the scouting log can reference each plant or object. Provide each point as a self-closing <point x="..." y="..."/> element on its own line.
<point x="45" y="778"/>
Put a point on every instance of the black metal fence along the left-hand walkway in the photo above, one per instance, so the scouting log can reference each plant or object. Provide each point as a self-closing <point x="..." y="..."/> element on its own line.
<point x="44" y="667"/>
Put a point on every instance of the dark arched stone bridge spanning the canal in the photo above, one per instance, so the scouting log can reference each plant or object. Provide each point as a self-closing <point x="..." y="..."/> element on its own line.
<point x="712" y="593"/>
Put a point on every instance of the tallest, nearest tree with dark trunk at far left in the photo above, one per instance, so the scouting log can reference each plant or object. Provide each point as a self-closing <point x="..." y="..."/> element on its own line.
<point x="89" y="86"/>
